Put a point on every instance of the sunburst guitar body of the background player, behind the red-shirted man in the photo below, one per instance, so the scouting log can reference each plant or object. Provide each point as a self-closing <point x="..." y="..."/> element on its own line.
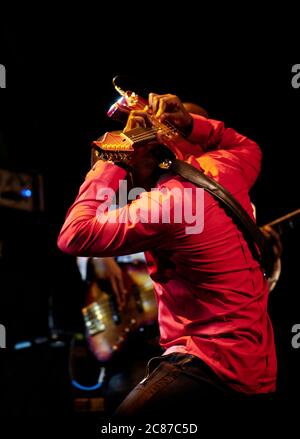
<point x="107" y="327"/>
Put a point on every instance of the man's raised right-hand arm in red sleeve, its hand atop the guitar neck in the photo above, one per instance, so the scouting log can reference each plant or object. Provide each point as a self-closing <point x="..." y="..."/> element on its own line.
<point x="210" y="135"/>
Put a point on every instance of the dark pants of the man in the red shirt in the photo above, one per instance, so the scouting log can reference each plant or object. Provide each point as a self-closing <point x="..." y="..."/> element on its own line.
<point x="178" y="387"/>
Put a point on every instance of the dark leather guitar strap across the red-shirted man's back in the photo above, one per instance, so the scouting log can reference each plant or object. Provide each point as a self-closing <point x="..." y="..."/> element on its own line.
<point x="256" y="240"/>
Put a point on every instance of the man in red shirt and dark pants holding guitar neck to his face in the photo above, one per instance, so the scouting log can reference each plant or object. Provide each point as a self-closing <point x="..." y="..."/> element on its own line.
<point x="211" y="293"/>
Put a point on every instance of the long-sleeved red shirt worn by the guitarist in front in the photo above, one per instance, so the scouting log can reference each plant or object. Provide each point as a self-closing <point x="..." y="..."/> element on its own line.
<point x="211" y="294"/>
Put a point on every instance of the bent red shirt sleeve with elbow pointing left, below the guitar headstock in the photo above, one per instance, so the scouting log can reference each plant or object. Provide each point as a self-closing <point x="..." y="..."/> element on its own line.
<point x="91" y="229"/>
